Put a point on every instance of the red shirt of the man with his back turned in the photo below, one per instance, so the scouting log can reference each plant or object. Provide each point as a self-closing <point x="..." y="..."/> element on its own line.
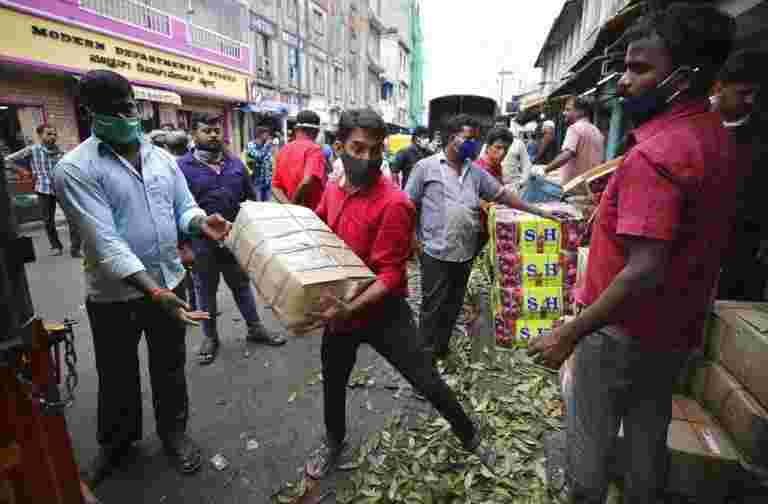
<point x="294" y="162"/>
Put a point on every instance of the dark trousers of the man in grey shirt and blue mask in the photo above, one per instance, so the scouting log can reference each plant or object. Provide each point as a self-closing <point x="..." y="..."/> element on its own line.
<point x="443" y="285"/>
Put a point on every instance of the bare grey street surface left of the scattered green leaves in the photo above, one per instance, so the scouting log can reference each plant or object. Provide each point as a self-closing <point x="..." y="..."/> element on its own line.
<point x="269" y="396"/>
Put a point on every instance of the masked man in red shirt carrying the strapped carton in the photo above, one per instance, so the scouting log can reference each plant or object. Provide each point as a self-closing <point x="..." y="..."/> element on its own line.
<point x="376" y="220"/>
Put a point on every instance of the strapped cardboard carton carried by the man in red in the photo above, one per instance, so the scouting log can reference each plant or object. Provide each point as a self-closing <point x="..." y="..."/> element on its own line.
<point x="294" y="260"/>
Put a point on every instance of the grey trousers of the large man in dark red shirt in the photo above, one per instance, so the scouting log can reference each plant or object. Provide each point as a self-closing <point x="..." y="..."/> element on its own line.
<point x="614" y="381"/>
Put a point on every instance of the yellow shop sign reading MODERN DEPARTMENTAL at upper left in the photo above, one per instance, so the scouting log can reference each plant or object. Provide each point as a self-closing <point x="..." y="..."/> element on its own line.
<point x="60" y="45"/>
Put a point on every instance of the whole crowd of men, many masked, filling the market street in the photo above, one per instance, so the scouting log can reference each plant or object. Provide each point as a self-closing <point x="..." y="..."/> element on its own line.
<point x="150" y="207"/>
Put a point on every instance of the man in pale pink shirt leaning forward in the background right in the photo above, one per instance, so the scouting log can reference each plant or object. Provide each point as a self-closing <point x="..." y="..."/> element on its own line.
<point x="583" y="147"/>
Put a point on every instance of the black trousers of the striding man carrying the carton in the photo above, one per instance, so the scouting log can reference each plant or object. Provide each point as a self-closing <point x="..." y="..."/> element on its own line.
<point x="396" y="338"/>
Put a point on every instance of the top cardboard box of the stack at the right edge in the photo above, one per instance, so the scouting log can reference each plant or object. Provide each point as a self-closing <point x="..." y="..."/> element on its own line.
<point x="739" y="341"/>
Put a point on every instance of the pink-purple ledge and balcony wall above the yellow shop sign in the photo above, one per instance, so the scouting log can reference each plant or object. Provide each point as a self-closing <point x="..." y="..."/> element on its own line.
<point x="69" y="11"/>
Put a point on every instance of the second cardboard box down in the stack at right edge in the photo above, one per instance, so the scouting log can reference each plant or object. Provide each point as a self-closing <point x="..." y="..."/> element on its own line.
<point x="745" y="420"/>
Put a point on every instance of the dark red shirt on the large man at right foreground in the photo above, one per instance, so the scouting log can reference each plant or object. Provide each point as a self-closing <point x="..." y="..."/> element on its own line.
<point x="676" y="184"/>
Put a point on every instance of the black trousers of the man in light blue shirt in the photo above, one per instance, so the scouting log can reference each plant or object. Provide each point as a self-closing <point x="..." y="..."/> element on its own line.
<point x="117" y="328"/>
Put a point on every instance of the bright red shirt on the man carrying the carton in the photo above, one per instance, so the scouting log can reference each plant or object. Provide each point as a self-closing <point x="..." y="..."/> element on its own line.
<point x="377" y="224"/>
